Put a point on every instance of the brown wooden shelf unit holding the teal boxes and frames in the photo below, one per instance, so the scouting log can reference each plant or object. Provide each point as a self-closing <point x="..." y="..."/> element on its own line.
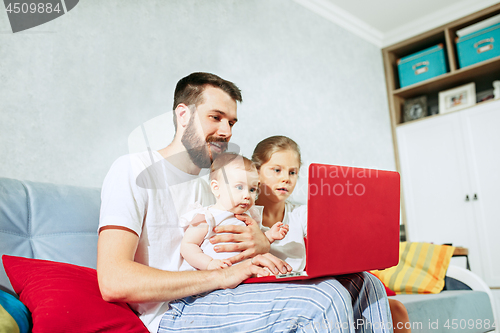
<point x="482" y="74"/>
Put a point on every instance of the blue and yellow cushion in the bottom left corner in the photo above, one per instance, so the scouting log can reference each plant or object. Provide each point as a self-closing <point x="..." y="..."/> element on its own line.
<point x="14" y="316"/>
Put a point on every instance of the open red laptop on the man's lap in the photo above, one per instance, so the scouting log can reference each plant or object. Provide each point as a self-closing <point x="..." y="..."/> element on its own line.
<point x="352" y="223"/>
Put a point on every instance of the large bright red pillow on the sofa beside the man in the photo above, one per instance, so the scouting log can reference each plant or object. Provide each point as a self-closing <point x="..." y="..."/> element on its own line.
<point x="66" y="298"/>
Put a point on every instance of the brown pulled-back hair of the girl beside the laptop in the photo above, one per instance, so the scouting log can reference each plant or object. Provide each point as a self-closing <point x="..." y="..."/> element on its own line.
<point x="267" y="147"/>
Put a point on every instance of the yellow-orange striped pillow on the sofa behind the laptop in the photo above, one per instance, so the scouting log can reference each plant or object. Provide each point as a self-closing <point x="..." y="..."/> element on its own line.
<point x="421" y="268"/>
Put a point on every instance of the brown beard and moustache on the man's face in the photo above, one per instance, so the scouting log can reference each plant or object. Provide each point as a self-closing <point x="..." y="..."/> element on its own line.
<point x="198" y="149"/>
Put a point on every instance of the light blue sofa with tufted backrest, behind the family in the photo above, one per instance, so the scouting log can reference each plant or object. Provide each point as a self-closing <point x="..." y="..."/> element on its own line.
<point x="59" y="223"/>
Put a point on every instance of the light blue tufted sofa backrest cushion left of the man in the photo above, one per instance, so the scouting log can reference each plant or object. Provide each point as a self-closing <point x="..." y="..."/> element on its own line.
<point x="48" y="221"/>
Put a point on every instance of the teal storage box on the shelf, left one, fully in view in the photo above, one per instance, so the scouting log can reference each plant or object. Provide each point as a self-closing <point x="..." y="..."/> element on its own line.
<point x="421" y="66"/>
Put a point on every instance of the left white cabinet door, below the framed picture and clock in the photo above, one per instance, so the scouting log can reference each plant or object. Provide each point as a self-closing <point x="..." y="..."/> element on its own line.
<point x="436" y="184"/>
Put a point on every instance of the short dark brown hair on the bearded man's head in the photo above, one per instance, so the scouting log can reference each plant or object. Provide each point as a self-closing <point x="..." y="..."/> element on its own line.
<point x="189" y="90"/>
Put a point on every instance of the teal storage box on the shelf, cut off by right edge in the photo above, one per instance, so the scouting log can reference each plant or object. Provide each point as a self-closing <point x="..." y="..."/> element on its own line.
<point x="479" y="46"/>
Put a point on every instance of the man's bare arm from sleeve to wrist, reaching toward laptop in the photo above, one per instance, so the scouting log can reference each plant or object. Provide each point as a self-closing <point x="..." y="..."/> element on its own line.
<point x="122" y="279"/>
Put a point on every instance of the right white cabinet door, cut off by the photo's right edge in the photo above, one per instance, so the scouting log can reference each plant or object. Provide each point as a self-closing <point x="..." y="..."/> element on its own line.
<point x="482" y="125"/>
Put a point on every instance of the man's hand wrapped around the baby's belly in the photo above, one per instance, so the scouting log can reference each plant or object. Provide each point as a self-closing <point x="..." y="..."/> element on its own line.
<point x="249" y="240"/>
